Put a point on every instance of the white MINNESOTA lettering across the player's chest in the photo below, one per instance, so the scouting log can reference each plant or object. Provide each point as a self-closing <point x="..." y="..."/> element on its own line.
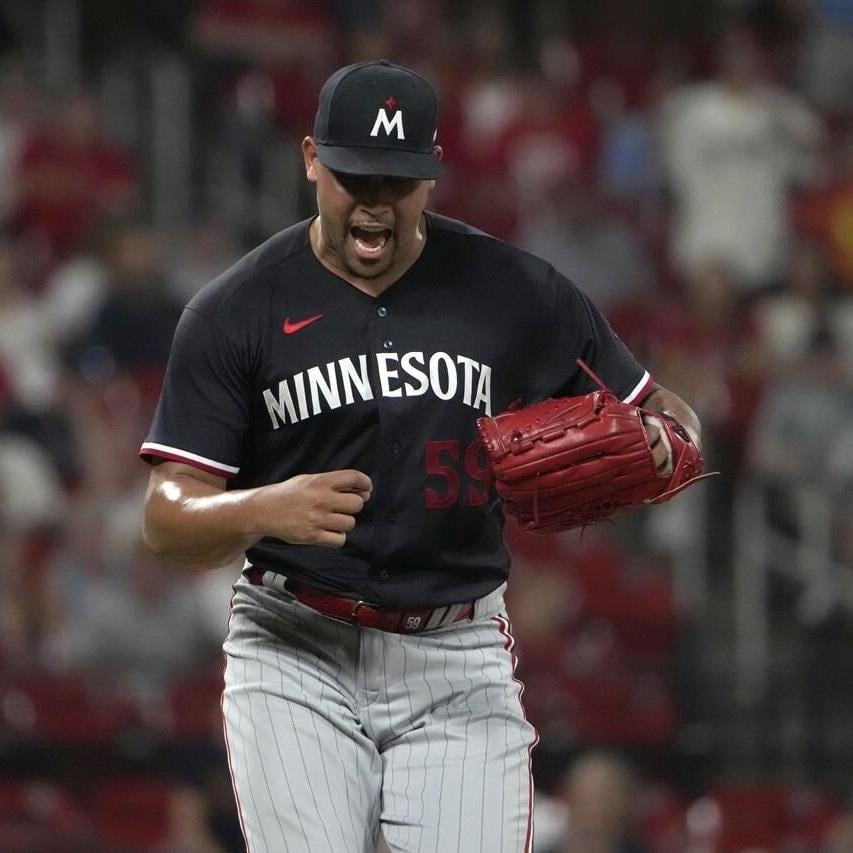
<point x="347" y="380"/>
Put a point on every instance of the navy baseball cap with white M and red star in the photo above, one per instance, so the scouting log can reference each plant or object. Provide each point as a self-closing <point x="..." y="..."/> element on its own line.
<point x="377" y="118"/>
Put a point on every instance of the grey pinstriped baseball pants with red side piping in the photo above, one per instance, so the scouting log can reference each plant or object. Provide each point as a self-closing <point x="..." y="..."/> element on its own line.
<point x="334" y="730"/>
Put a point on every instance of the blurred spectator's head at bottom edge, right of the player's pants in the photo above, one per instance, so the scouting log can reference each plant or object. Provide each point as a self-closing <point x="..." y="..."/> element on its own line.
<point x="600" y="797"/>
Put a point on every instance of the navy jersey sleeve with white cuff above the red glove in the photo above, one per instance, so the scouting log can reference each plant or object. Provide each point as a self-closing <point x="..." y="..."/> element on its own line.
<point x="583" y="332"/>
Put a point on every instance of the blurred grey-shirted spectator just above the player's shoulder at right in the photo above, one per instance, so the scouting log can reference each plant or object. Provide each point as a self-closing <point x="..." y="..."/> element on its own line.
<point x="571" y="228"/>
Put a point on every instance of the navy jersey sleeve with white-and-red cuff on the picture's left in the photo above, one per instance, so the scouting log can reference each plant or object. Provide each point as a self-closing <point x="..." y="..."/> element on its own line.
<point x="203" y="411"/>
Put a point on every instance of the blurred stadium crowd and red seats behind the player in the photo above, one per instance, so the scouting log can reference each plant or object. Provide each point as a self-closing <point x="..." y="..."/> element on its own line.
<point x="689" y="165"/>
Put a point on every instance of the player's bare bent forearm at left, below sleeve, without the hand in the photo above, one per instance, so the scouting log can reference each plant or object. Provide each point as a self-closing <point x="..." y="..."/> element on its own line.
<point x="195" y="523"/>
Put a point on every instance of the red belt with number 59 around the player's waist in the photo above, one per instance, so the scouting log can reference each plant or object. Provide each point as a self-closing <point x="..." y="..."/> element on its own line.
<point x="366" y="615"/>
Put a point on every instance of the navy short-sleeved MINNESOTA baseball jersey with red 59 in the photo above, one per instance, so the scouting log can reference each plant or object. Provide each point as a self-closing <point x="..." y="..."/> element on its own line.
<point x="279" y="367"/>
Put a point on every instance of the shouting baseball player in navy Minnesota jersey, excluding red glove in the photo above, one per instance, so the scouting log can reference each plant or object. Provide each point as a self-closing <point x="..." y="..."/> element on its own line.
<point x="318" y="415"/>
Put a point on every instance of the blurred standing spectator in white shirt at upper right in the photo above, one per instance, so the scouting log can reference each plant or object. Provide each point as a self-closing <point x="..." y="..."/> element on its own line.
<point x="733" y="147"/>
